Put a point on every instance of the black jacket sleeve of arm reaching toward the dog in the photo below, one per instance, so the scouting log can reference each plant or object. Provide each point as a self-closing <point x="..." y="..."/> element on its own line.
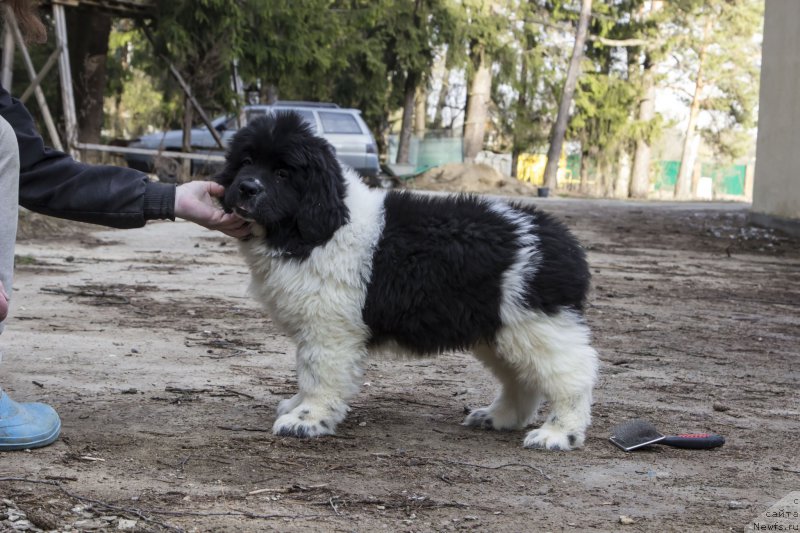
<point x="52" y="183"/>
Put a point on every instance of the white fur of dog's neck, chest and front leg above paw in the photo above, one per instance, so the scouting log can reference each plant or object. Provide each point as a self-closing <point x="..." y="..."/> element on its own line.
<point x="319" y="301"/>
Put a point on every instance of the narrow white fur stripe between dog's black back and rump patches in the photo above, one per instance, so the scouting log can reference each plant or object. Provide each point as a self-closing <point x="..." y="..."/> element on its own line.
<point x="525" y="266"/>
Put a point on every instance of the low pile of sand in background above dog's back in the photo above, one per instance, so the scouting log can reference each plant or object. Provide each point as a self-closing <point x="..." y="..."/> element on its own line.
<point x="465" y="177"/>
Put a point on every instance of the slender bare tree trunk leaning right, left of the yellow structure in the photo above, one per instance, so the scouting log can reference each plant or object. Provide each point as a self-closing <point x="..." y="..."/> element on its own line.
<point x="560" y="126"/>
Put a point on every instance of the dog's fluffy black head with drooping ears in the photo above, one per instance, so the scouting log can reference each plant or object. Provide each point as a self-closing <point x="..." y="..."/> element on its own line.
<point x="281" y="176"/>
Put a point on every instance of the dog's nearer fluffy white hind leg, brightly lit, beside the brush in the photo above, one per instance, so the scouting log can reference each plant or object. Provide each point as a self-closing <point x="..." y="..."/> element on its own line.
<point x="553" y="351"/>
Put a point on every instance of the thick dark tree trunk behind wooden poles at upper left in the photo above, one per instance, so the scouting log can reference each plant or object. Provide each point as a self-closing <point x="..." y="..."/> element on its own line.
<point x="88" y="47"/>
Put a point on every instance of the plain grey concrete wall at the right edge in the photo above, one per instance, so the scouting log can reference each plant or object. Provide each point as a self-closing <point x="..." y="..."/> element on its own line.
<point x="776" y="191"/>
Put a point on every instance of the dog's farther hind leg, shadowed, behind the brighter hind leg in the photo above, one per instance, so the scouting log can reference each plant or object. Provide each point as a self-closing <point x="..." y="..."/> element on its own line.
<point x="518" y="401"/>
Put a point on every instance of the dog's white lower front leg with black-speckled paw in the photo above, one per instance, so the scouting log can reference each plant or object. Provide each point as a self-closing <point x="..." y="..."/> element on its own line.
<point x="328" y="376"/>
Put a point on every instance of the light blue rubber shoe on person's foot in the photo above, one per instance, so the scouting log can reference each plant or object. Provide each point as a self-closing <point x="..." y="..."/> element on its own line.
<point x="26" y="425"/>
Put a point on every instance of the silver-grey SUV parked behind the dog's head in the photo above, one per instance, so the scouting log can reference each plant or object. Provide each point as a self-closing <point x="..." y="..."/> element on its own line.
<point x="343" y="128"/>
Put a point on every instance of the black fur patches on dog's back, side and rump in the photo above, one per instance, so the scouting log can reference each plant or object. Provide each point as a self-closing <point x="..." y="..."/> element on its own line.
<point x="438" y="270"/>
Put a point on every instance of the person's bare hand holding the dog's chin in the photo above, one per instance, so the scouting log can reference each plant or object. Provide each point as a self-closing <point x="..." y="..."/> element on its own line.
<point x="194" y="201"/>
